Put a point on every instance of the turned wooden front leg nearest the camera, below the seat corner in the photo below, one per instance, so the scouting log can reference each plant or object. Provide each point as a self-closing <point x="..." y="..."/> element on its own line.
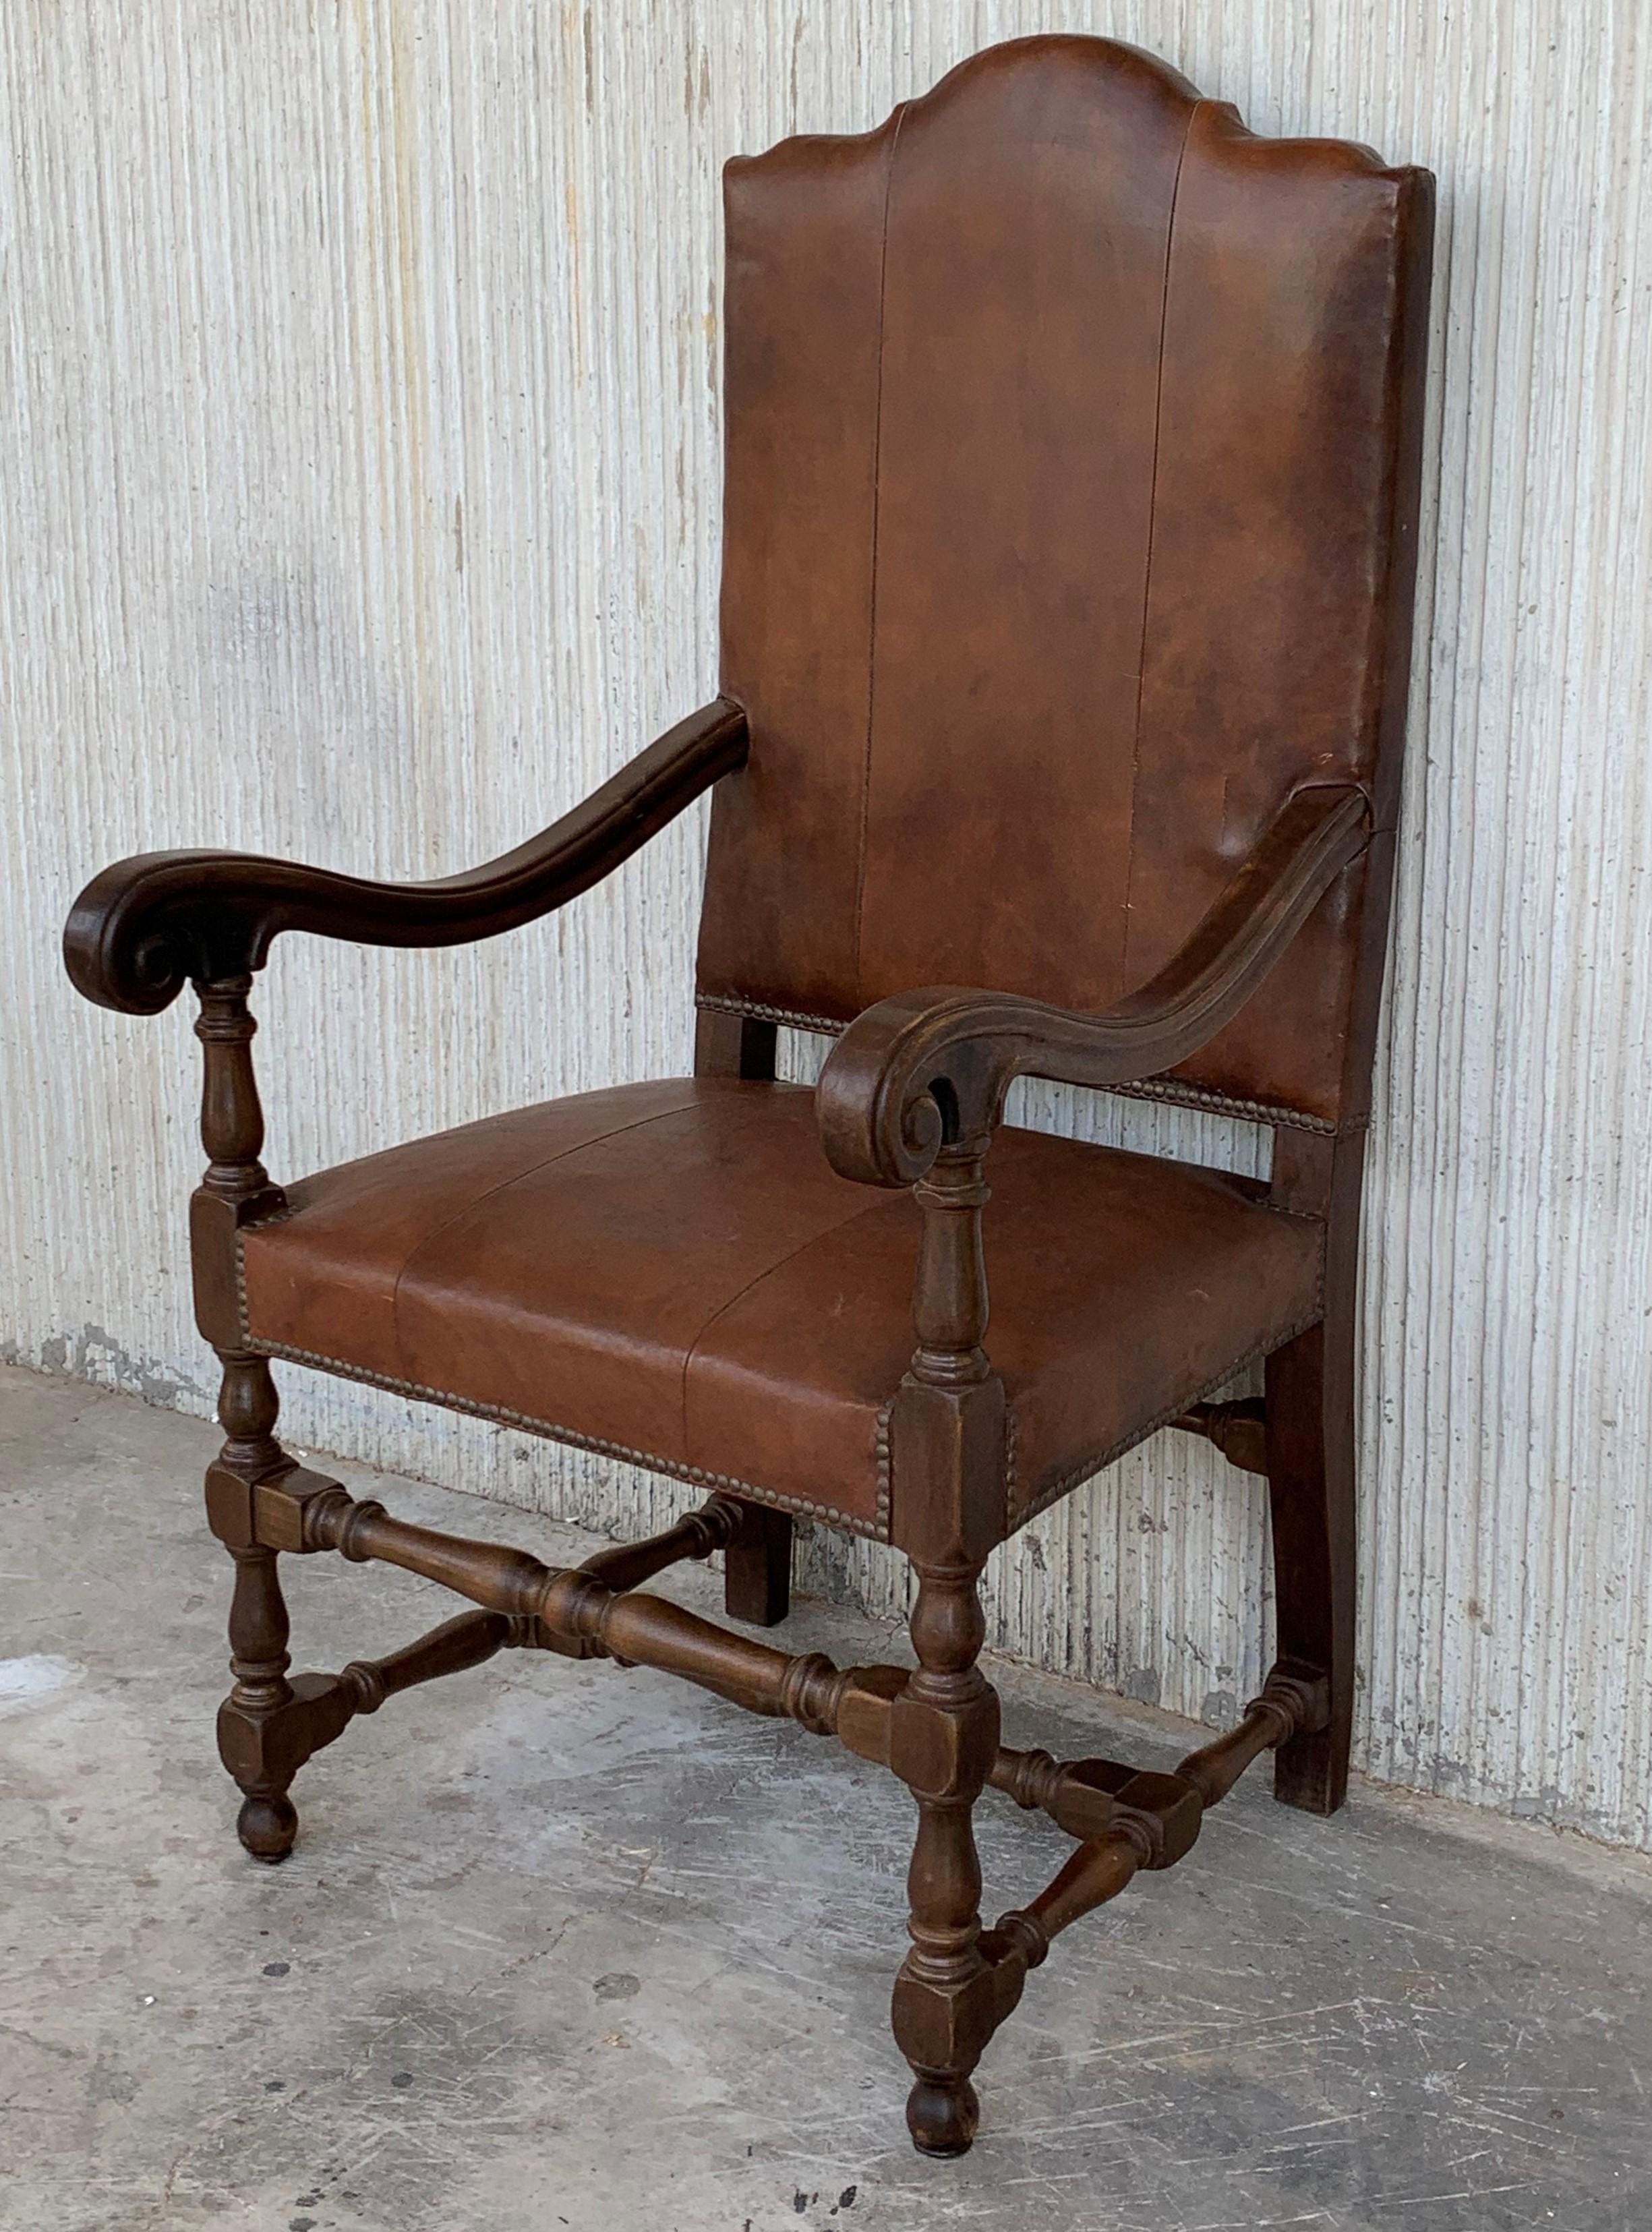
<point x="943" y="1744"/>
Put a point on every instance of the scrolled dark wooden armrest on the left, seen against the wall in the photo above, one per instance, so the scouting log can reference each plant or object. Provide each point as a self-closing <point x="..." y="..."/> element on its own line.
<point x="144" y="927"/>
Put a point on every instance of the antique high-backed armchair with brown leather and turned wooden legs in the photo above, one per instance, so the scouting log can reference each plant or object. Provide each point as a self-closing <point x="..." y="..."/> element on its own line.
<point x="1070" y="517"/>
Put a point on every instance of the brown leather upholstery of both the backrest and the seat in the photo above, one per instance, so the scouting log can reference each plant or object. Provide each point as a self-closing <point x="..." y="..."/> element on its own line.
<point x="1068" y="521"/>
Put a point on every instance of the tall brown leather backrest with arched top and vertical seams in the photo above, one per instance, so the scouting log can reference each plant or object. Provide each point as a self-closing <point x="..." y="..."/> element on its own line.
<point x="1068" y="532"/>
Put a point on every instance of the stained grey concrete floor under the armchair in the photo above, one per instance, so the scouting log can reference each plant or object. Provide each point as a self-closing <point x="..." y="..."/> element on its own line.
<point x="577" y="1947"/>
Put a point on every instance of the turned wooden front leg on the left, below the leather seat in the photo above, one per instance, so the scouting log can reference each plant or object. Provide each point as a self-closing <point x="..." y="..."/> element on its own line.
<point x="253" y="1713"/>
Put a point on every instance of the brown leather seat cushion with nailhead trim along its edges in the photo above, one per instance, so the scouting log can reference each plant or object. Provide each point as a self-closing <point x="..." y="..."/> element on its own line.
<point x="678" y="1273"/>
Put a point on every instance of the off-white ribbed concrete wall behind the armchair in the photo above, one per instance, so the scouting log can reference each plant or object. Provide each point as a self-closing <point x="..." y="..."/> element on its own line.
<point x="358" y="501"/>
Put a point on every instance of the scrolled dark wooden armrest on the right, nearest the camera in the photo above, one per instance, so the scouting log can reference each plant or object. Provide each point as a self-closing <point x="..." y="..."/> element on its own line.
<point x="932" y="1066"/>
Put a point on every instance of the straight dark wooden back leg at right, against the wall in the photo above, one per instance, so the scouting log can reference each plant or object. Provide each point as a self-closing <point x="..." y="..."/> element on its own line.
<point x="1314" y="1548"/>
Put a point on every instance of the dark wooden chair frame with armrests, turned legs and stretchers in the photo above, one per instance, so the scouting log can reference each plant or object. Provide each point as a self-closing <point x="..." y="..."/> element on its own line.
<point x="910" y="1097"/>
